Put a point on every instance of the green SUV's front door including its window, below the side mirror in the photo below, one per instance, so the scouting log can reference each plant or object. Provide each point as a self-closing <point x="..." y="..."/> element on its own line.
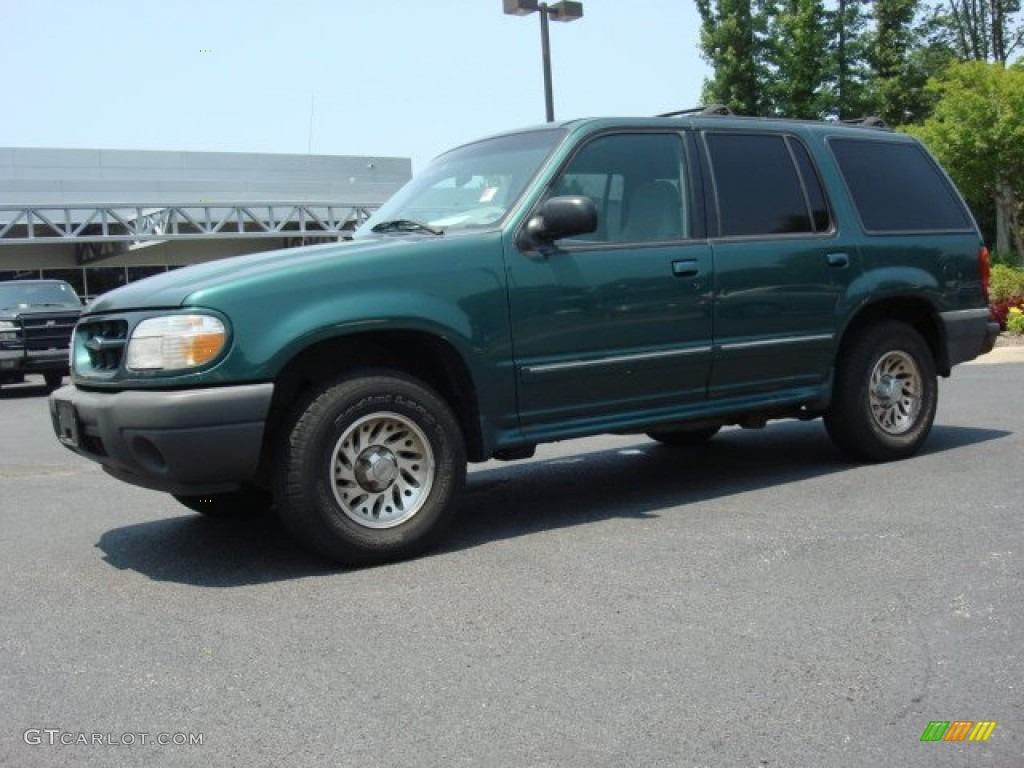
<point x="616" y="324"/>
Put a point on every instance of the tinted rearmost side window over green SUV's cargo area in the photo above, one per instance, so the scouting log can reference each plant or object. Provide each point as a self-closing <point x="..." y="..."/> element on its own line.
<point x="898" y="188"/>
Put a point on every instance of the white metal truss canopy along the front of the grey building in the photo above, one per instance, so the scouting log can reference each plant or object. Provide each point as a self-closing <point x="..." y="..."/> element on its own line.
<point x="105" y="231"/>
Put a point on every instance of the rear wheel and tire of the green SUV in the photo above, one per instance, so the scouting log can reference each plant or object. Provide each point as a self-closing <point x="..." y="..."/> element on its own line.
<point x="885" y="395"/>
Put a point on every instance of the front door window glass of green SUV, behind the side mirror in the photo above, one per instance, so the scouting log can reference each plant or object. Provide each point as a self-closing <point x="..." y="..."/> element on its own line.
<point x="636" y="181"/>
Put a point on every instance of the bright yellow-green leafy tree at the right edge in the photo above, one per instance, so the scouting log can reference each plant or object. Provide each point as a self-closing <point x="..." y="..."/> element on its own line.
<point x="977" y="132"/>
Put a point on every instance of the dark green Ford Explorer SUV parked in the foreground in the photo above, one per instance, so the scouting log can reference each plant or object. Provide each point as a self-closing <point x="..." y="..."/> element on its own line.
<point x="665" y="276"/>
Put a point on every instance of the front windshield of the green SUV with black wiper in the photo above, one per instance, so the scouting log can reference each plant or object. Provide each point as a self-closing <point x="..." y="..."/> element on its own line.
<point x="471" y="188"/>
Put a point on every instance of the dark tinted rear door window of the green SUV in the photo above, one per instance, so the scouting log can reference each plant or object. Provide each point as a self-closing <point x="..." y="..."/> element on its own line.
<point x="759" y="189"/>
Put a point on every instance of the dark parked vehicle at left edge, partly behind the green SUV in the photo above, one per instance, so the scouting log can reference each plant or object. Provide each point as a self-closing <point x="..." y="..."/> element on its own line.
<point x="36" y="322"/>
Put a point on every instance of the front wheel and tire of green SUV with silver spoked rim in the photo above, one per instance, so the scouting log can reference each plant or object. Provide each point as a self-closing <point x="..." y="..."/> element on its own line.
<point x="370" y="468"/>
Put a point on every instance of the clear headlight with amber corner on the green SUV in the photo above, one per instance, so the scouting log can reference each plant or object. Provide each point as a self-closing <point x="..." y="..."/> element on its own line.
<point x="176" y="342"/>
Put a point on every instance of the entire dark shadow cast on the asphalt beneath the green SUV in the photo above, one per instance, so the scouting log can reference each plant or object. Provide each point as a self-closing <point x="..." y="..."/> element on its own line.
<point x="639" y="480"/>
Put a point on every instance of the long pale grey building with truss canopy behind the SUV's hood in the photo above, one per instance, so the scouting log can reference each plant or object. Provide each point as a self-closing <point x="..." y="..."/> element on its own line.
<point x="100" y="219"/>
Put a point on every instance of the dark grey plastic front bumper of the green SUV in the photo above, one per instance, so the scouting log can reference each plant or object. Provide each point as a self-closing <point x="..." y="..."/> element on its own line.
<point x="186" y="442"/>
